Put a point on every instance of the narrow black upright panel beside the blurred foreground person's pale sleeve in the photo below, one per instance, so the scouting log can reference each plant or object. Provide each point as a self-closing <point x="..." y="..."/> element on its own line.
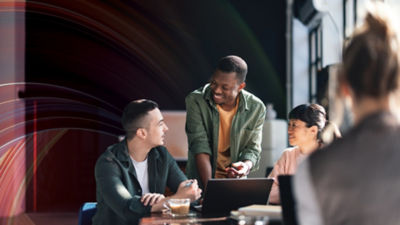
<point x="287" y="200"/>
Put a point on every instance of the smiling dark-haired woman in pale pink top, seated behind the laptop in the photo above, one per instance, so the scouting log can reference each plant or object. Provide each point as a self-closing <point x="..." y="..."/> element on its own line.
<point x="306" y="123"/>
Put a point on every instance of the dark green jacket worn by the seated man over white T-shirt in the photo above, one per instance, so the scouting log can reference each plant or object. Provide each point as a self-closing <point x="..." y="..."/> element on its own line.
<point x="118" y="190"/>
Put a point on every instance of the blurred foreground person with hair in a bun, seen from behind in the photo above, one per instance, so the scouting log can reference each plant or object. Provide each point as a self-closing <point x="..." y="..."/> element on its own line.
<point x="356" y="179"/>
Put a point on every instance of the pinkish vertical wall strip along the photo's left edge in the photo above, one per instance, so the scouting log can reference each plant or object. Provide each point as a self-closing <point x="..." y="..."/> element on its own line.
<point x="12" y="134"/>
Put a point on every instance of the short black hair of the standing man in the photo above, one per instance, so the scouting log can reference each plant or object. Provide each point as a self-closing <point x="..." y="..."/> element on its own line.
<point x="232" y="63"/>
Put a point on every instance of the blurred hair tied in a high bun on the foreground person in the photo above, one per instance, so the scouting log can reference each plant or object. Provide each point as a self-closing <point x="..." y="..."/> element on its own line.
<point x="370" y="61"/>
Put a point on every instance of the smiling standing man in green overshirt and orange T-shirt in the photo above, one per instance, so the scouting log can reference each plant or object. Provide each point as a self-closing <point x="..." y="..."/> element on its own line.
<point x="224" y="125"/>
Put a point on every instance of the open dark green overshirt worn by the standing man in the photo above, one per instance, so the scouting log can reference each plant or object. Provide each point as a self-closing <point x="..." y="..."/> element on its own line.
<point x="202" y="126"/>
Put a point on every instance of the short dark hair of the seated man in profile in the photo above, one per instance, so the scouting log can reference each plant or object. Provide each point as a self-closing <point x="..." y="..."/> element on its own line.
<point x="133" y="115"/>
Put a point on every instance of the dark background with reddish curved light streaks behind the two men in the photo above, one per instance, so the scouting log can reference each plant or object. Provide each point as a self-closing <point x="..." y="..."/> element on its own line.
<point x="85" y="60"/>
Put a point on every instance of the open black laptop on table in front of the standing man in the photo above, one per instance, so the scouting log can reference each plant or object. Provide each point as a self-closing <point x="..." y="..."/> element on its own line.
<point x="224" y="195"/>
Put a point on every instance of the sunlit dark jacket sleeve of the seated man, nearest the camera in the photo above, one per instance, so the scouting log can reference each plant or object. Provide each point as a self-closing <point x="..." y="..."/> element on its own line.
<point x="109" y="184"/>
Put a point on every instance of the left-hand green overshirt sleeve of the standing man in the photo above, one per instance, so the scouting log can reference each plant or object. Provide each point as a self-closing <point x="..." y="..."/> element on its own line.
<point x="195" y="130"/>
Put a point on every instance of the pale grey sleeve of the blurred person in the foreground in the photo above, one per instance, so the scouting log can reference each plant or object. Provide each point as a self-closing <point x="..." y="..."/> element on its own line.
<point x="307" y="207"/>
